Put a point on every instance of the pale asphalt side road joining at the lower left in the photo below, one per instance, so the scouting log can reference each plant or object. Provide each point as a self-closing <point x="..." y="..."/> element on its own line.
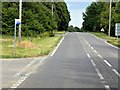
<point x="12" y="70"/>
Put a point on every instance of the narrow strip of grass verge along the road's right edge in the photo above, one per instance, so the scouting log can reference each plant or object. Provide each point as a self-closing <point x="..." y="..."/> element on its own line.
<point x="112" y="40"/>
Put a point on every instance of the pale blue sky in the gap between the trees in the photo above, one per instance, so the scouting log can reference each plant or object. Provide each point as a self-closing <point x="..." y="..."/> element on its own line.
<point x="76" y="8"/>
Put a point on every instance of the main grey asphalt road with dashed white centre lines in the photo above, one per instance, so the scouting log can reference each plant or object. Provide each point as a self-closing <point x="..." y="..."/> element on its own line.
<point x="80" y="61"/>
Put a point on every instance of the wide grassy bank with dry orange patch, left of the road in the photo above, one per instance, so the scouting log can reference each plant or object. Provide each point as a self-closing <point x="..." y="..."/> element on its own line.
<point x="38" y="47"/>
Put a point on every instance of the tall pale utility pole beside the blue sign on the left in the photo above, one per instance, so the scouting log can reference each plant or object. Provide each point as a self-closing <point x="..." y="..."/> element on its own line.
<point x="20" y="16"/>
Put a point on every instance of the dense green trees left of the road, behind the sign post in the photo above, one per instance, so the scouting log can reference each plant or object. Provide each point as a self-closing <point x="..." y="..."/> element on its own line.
<point x="37" y="18"/>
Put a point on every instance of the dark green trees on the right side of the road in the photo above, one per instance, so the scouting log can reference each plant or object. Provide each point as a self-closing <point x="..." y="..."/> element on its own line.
<point x="96" y="17"/>
